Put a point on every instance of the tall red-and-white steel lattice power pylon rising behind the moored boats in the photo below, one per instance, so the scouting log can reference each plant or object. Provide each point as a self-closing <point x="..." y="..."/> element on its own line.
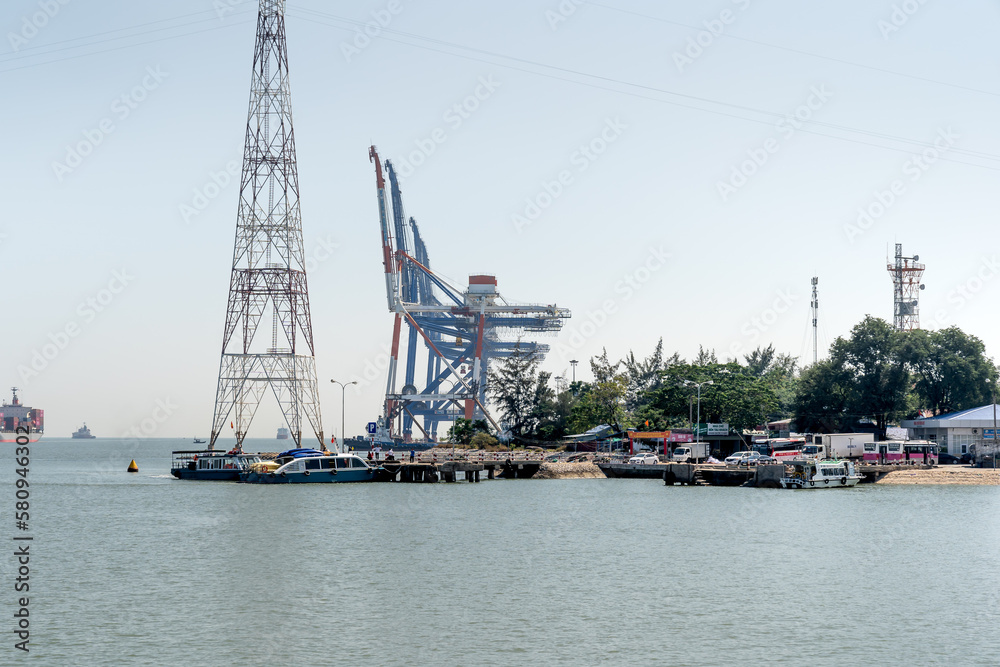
<point x="269" y="276"/>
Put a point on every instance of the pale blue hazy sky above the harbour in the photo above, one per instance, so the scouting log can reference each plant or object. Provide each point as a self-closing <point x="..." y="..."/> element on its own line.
<point x="674" y="170"/>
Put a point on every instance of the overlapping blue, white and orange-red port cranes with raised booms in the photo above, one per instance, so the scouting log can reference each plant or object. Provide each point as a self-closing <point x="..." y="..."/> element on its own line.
<point x="462" y="329"/>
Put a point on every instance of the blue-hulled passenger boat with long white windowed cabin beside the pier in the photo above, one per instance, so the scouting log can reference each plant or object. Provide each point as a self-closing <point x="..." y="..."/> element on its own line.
<point x="309" y="466"/>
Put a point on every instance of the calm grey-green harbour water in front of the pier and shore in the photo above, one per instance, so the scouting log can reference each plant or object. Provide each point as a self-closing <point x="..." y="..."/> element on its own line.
<point x="145" y="569"/>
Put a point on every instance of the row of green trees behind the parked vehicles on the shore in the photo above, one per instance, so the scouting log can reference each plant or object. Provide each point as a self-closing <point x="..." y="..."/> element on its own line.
<point x="875" y="375"/>
